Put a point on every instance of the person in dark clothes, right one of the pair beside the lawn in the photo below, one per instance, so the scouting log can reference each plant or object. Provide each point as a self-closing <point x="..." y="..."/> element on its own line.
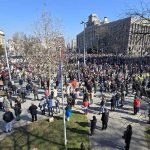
<point x="104" y="119"/>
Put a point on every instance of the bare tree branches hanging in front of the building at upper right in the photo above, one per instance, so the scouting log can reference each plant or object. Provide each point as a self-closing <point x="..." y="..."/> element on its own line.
<point x="142" y="35"/>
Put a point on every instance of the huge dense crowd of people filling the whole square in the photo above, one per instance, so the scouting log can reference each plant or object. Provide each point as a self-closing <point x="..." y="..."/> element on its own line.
<point x="118" y="78"/>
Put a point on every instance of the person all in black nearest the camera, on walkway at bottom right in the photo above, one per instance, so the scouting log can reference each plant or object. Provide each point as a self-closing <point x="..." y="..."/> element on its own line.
<point x="127" y="137"/>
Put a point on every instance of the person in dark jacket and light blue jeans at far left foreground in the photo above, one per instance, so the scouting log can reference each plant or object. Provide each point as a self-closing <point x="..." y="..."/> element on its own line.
<point x="8" y="118"/>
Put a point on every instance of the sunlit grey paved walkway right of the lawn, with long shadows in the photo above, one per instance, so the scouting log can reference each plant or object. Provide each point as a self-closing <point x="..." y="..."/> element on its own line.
<point x="111" y="139"/>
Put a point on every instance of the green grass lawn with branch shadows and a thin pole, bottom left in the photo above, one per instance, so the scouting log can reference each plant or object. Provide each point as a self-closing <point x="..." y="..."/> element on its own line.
<point x="49" y="136"/>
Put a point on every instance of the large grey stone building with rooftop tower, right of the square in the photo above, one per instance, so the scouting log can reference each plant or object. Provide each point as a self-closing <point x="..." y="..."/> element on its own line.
<point x="126" y="36"/>
